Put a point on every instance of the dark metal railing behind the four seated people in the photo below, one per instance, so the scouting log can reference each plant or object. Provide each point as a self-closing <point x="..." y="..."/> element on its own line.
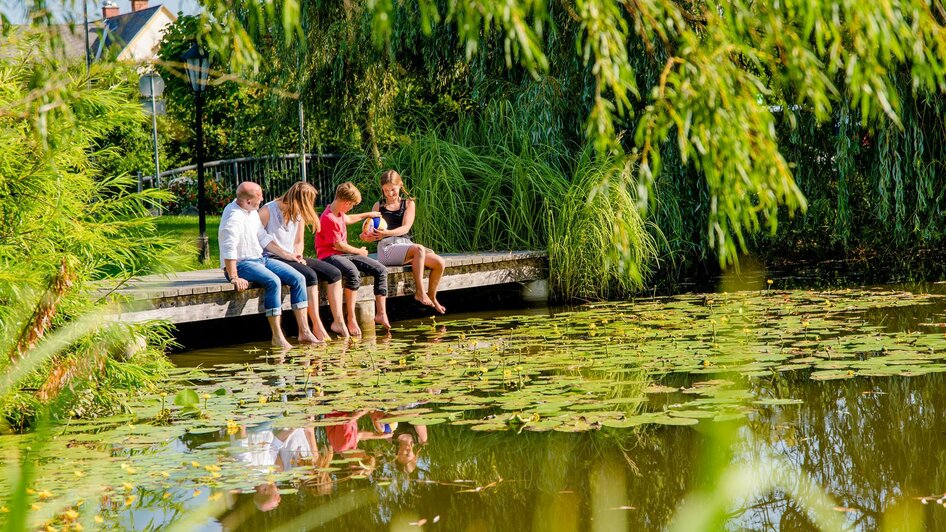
<point x="275" y="174"/>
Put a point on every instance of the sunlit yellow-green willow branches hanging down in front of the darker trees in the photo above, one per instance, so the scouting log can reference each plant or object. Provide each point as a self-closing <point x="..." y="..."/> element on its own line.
<point x="695" y="81"/>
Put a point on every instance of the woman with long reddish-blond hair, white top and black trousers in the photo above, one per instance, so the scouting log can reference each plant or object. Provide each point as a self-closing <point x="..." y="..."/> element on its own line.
<point x="286" y="218"/>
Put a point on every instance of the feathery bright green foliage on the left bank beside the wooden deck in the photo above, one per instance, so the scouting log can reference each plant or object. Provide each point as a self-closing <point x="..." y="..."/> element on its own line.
<point x="63" y="225"/>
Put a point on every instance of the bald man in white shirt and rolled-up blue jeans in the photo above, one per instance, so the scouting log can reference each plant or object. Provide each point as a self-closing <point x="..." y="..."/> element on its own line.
<point x="242" y="239"/>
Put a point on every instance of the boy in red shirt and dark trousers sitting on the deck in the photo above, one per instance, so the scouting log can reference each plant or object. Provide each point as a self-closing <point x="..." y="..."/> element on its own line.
<point x="331" y="246"/>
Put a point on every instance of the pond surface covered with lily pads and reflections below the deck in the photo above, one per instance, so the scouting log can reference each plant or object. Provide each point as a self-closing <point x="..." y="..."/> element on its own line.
<point x="780" y="409"/>
